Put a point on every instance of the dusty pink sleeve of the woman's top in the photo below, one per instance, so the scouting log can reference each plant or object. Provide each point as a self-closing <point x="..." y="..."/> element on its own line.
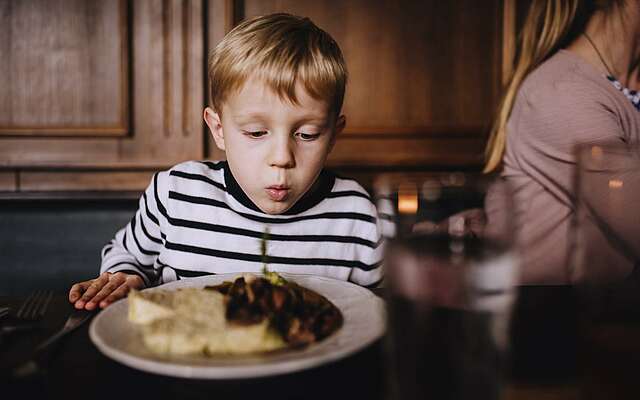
<point x="545" y="127"/>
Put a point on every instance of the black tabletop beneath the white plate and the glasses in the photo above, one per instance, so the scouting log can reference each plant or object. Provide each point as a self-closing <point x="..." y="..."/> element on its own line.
<point x="545" y="364"/>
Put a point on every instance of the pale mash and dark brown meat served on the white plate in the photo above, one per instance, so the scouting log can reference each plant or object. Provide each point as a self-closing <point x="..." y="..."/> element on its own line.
<point x="251" y="314"/>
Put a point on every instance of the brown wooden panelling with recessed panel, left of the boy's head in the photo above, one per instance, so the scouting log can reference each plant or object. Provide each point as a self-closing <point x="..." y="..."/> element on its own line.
<point x="103" y="84"/>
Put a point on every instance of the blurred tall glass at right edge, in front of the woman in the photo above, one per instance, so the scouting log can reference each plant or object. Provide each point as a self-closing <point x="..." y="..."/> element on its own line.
<point x="605" y="254"/>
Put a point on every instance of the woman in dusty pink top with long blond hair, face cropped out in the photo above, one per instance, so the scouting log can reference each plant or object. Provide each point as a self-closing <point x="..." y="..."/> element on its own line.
<point x="574" y="82"/>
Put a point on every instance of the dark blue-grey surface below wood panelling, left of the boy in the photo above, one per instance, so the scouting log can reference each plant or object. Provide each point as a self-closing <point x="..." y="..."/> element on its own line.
<point x="49" y="243"/>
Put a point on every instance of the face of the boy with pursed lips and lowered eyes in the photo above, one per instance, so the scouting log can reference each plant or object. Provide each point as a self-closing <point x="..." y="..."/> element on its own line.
<point x="275" y="148"/>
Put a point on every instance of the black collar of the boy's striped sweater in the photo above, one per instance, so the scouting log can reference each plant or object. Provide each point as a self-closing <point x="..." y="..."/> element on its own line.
<point x="318" y="192"/>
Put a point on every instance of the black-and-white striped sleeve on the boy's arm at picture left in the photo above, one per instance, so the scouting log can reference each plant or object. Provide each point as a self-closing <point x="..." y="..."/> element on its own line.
<point x="135" y="248"/>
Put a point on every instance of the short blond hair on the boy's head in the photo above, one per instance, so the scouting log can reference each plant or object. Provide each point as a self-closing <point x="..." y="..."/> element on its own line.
<point x="282" y="50"/>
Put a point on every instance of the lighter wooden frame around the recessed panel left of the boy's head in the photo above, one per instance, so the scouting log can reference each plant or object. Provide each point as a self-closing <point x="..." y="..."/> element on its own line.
<point x="167" y="86"/>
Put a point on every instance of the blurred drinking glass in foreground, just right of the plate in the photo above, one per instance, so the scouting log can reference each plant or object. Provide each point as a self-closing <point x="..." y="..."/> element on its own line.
<point x="451" y="276"/>
